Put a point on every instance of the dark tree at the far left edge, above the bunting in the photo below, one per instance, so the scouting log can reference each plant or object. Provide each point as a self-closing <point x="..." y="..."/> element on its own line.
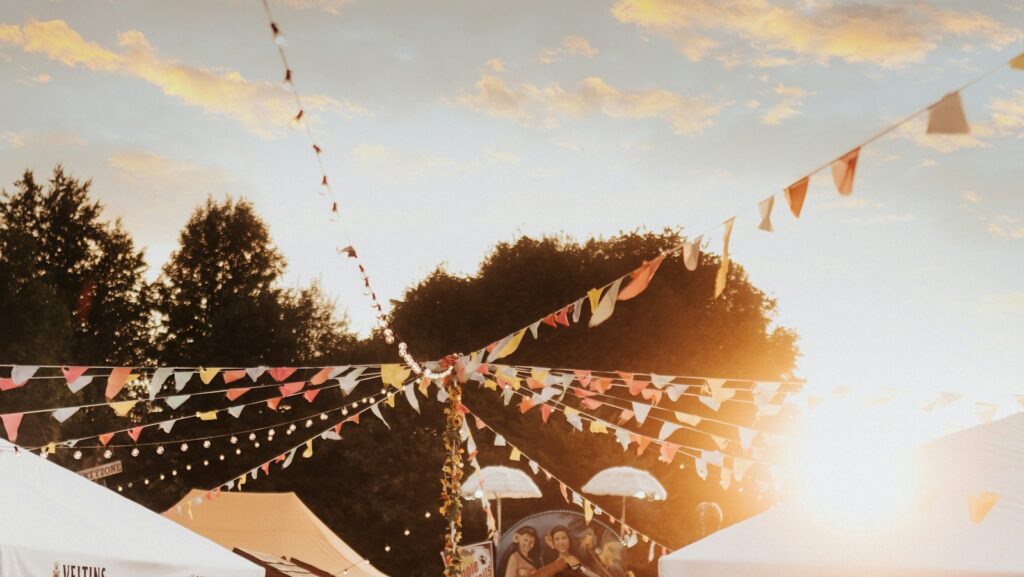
<point x="74" y="290"/>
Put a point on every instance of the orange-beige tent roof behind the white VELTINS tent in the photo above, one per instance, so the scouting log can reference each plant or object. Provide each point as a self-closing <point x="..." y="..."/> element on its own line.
<point x="278" y="524"/>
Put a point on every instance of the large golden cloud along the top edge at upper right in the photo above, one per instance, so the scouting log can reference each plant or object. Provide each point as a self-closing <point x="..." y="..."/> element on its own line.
<point x="882" y="35"/>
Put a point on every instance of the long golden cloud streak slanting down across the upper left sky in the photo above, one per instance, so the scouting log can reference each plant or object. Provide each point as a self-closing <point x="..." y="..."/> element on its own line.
<point x="262" y="107"/>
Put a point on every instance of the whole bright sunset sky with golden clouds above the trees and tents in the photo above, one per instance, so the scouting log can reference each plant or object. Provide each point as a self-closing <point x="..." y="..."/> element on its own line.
<point x="449" y="128"/>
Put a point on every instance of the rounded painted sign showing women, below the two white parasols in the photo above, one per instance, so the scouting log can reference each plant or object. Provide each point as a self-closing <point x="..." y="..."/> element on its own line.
<point x="543" y="539"/>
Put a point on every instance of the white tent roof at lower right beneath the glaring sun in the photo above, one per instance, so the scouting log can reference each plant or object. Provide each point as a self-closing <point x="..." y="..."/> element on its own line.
<point x="935" y="539"/>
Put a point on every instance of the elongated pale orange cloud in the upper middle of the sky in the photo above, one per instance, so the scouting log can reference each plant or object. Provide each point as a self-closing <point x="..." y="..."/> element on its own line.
<point x="531" y="105"/>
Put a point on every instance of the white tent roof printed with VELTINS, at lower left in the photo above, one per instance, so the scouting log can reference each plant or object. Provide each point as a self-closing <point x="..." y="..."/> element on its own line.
<point x="59" y="523"/>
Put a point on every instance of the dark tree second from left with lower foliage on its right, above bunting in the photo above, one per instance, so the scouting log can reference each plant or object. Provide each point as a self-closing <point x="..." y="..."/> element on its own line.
<point x="221" y="302"/>
